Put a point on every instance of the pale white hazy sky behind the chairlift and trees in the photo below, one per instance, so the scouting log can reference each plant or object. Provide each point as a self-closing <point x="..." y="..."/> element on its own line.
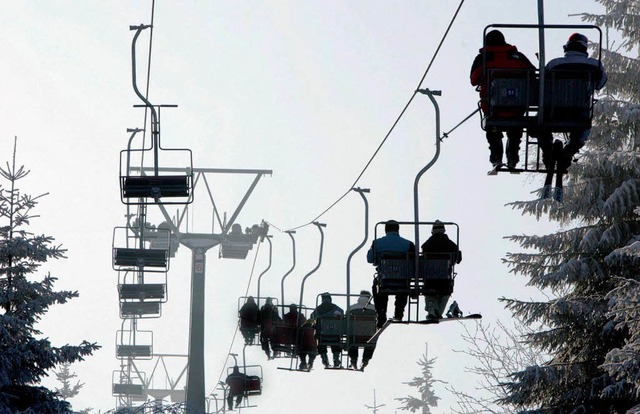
<point x="307" y="89"/>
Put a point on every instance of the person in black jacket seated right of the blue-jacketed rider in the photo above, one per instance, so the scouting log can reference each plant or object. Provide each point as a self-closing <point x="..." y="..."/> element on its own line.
<point x="439" y="242"/>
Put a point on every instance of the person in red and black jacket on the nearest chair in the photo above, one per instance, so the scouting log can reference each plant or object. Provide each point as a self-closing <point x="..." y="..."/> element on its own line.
<point x="498" y="54"/>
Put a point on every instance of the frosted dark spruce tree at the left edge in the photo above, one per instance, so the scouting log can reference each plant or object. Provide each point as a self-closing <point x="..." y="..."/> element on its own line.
<point x="24" y="355"/>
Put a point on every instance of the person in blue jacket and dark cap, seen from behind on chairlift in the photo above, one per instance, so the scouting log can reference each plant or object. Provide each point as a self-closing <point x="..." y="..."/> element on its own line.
<point x="391" y="242"/>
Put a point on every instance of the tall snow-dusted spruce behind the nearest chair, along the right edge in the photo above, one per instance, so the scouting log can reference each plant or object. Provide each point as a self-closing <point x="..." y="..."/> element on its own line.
<point x="591" y="264"/>
